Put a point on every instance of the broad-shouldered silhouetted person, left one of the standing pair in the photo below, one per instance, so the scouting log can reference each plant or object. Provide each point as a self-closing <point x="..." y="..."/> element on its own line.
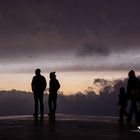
<point x="38" y="87"/>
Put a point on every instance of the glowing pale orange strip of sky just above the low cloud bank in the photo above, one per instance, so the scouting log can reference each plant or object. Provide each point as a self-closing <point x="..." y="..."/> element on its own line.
<point x="71" y="82"/>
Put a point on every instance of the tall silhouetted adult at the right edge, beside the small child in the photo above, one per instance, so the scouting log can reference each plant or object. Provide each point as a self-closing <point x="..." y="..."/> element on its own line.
<point x="133" y="92"/>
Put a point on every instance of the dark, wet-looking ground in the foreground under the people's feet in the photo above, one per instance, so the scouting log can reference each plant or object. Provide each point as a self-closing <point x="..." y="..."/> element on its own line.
<point x="66" y="127"/>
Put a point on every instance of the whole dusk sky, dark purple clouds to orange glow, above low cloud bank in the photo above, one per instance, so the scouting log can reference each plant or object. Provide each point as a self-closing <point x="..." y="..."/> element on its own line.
<point x="80" y="39"/>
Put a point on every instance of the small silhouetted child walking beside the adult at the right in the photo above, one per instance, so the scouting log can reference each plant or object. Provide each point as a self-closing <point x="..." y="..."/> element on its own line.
<point x="123" y="104"/>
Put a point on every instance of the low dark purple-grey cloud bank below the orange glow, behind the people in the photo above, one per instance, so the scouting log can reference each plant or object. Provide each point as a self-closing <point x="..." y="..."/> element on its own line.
<point x="86" y="103"/>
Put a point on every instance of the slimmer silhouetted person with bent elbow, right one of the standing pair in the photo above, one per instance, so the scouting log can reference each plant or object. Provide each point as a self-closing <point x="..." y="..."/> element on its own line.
<point x="53" y="88"/>
